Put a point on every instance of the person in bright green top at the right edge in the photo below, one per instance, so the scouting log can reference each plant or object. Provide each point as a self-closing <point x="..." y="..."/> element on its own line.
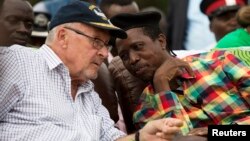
<point x="241" y="36"/>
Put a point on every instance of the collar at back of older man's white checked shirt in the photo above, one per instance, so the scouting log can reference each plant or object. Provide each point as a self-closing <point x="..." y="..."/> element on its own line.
<point x="51" y="58"/>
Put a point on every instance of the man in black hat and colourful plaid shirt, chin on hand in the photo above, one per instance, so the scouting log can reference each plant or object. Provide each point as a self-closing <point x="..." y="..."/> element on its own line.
<point x="203" y="89"/>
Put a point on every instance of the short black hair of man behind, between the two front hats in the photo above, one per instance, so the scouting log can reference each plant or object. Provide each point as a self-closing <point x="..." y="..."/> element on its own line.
<point x="107" y="3"/>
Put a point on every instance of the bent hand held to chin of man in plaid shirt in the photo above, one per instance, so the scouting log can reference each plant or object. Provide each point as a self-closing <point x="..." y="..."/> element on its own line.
<point x="168" y="71"/>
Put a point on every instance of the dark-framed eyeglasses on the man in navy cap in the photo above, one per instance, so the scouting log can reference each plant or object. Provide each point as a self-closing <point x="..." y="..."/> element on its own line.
<point x="97" y="43"/>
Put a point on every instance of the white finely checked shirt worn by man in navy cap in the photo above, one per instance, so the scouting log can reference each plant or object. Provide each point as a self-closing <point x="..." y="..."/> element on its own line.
<point x="36" y="102"/>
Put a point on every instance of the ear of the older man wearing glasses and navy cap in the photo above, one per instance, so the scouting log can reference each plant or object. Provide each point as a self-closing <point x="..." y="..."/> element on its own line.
<point x="62" y="37"/>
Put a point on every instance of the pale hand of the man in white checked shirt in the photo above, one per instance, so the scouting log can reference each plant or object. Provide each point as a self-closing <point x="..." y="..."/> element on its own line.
<point x="160" y="130"/>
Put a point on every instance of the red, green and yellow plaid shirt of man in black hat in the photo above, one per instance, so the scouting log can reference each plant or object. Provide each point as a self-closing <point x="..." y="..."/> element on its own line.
<point x="219" y="94"/>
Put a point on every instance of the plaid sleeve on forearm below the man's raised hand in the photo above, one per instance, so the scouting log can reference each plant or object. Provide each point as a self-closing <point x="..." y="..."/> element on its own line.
<point x="155" y="106"/>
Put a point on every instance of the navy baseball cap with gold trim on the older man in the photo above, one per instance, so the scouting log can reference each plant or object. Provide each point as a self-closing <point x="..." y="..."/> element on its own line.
<point x="83" y="12"/>
